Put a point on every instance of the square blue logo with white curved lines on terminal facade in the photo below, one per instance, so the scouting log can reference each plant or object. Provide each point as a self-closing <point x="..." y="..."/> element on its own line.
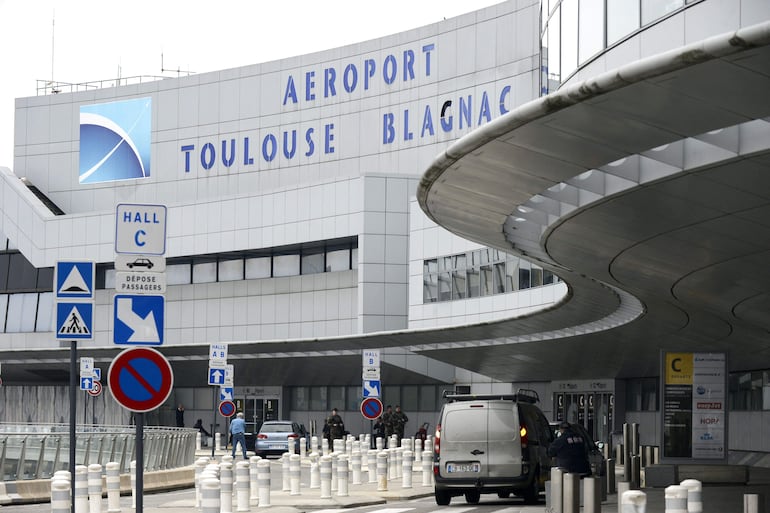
<point x="115" y="141"/>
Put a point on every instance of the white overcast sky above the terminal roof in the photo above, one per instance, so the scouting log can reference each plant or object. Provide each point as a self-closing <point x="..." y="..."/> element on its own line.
<point x="101" y="39"/>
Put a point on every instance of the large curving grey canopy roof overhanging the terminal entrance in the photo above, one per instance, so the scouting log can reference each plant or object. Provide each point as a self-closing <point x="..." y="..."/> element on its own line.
<point x="648" y="188"/>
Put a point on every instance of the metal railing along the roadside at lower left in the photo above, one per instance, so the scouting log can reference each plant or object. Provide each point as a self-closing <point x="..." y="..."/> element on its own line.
<point x="36" y="452"/>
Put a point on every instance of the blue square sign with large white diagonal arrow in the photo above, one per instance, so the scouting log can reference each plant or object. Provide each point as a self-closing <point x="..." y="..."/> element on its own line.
<point x="139" y="320"/>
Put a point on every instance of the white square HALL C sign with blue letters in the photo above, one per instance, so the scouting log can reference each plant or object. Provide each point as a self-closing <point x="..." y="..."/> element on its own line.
<point x="140" y="229"/>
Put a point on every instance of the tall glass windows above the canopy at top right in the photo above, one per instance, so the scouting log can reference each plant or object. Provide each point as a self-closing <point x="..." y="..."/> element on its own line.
<point x="574" y="31"/>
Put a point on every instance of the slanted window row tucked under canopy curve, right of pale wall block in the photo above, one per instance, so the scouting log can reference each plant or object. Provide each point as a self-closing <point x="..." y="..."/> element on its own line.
<point x="478" y="273"/>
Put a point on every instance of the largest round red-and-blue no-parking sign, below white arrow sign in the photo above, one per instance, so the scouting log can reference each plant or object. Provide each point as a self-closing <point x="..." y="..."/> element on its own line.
<point x="140" y="379"/>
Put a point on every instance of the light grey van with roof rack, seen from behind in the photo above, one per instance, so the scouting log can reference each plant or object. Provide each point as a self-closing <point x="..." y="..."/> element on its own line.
<point x="491" y="444"/>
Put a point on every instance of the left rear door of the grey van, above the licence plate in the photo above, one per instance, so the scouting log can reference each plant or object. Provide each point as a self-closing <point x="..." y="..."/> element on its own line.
<point x="464" y="450"/>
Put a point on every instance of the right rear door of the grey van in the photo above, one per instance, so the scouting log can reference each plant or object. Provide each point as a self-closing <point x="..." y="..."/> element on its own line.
<point x="504" y="444"/>
